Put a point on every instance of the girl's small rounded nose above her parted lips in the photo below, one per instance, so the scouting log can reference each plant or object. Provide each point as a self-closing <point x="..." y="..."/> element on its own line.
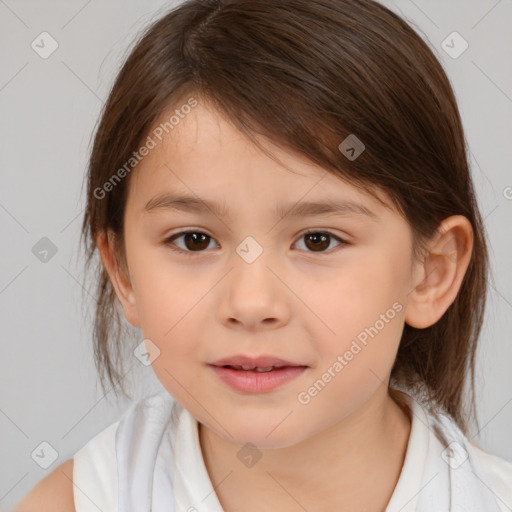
<point x="253" y="297"/>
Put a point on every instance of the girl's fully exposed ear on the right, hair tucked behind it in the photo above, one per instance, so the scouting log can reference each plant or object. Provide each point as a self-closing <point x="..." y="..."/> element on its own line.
<point x="437" y="279"/>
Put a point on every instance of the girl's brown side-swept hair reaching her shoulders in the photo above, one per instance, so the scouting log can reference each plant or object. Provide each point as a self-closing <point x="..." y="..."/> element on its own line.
<point x="307" y="74"/>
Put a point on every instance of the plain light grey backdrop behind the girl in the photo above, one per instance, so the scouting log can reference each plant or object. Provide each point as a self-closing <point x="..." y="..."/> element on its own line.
<point x="48" y="110"/>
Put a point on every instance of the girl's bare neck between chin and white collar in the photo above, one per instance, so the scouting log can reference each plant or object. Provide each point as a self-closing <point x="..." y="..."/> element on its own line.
<point x="356" y="462"/>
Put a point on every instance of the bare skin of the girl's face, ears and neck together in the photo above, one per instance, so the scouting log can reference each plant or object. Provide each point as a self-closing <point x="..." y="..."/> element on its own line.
<point x="347" y="445"/>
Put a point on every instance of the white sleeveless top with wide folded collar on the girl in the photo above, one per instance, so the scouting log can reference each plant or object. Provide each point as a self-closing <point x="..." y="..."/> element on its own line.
<point x="151" y="461"/>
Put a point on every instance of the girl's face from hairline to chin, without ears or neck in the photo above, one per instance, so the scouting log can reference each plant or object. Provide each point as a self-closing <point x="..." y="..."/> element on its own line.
<point x="338" y="309"/>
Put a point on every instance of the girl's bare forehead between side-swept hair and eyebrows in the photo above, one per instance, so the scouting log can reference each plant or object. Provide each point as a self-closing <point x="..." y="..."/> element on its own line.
<point x="205" y="156"/>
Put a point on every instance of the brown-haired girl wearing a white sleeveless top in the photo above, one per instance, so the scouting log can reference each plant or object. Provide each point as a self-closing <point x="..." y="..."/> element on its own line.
<point x="280" y="196"/>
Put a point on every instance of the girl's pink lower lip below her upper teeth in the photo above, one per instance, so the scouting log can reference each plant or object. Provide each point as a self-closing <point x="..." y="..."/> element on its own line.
<point x="257" y="382"/>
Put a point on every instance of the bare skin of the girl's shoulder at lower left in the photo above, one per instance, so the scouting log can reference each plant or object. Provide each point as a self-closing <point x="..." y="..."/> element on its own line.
<point x="54" y="493"/>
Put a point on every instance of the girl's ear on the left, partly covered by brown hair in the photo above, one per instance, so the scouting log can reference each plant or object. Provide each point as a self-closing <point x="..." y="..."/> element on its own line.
<point x="118" y="277"/>
